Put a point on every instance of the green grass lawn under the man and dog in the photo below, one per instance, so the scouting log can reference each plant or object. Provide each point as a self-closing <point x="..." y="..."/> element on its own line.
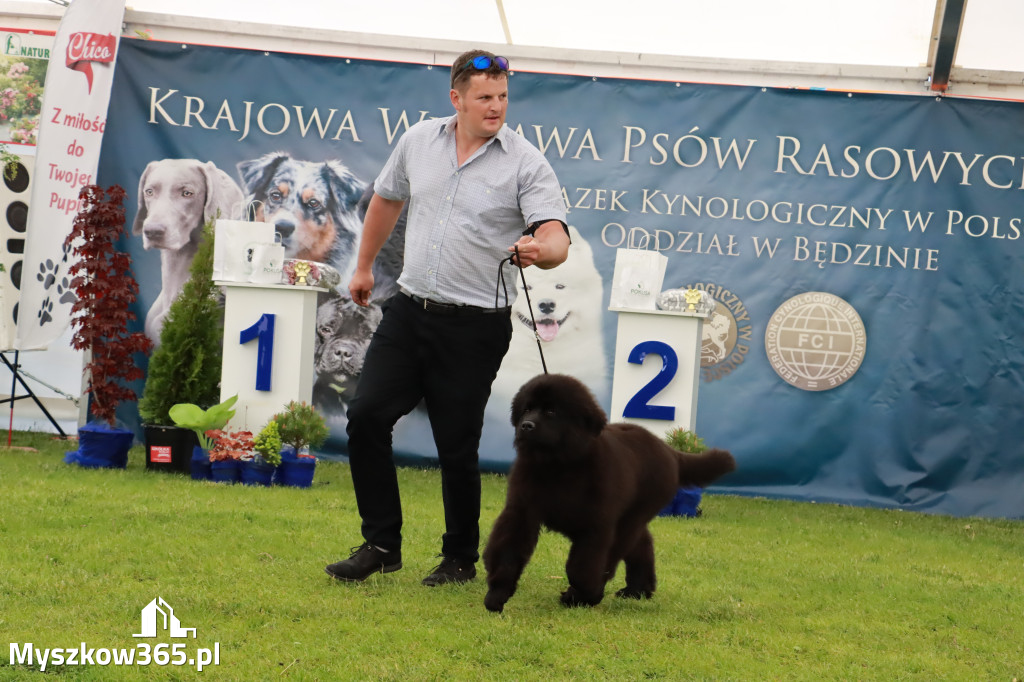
<point x="754" y="590"/>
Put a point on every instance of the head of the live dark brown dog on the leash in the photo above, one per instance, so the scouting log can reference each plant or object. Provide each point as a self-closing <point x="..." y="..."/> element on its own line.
<point x="556" y="412"/>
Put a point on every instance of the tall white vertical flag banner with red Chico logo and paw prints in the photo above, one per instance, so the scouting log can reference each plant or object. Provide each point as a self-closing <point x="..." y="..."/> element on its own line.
<point x="71" y="130"/>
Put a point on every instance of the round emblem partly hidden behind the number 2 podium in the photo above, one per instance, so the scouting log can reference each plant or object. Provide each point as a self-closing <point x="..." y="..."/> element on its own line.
<point x="726" y="336"/>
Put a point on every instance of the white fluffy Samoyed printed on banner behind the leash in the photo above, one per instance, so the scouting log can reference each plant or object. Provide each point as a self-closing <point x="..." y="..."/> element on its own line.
<point x="569" y="307"/>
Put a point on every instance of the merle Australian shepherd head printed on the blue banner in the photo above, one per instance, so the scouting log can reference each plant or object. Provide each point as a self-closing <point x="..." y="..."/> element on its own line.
<point x="313" y="205"/>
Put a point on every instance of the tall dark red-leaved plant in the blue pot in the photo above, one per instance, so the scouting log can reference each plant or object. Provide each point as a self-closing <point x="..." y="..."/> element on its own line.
<point x="103" y="281"/>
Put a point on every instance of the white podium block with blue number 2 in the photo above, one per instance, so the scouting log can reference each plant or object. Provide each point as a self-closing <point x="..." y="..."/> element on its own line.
<point x="659" y="390"/>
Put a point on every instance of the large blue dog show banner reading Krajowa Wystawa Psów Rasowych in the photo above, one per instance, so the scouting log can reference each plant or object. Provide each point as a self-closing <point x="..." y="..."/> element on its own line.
<point x="865" y="250"/>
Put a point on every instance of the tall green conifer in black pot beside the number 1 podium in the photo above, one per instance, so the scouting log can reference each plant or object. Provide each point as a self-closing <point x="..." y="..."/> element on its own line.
<point x="186" y="367"/>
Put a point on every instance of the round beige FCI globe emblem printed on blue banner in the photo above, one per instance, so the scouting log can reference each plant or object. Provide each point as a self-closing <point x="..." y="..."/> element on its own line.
<point x="816" y="342"/>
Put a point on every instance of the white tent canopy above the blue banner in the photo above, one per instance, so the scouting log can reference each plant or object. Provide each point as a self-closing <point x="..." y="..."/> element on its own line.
<point x="874" y="45"/>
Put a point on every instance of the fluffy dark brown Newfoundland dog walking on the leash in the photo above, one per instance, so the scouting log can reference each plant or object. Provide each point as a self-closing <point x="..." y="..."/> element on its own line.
<point x="598" y="484"/>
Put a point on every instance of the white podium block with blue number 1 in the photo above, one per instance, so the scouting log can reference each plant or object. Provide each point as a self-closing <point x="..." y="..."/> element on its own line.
<point x="289" y="371"/>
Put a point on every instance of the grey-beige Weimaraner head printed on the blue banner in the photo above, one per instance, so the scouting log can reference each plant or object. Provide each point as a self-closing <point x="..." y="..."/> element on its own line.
<point x="177" y="197"/>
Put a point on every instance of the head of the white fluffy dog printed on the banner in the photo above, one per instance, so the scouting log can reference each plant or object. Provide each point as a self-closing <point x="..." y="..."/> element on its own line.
<point x="565" y="299"/>
